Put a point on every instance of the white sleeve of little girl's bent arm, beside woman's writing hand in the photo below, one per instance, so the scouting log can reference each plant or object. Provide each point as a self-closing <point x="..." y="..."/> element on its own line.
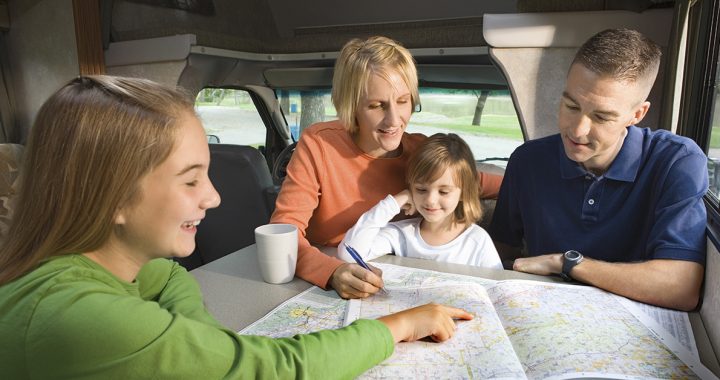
<point x="365" y="236"/>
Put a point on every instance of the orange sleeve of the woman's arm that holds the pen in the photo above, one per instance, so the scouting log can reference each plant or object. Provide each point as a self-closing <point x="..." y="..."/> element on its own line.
<point x="298" y="199"/>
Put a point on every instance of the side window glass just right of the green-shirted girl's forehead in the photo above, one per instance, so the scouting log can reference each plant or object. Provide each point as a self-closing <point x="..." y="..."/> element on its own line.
<point x="230" y="117"/>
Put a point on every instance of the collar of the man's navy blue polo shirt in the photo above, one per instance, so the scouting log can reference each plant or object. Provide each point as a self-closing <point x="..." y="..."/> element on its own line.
<point x="623" y="168"/>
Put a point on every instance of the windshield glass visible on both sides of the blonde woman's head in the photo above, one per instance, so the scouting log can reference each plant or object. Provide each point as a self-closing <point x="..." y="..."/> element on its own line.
<point x="485" y="119"/>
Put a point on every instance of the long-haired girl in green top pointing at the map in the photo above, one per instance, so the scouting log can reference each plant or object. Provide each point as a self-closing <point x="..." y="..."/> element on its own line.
<point x="115" y="182"/>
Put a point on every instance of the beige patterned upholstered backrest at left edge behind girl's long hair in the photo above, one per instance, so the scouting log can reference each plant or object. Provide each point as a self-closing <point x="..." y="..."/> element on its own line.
<point x="10" y="159"/>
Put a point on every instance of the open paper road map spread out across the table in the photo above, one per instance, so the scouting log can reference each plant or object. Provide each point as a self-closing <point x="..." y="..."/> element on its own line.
<point x="521" y="329"/>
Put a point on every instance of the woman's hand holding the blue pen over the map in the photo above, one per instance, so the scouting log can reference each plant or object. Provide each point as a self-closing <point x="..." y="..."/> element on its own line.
<point x="353" y="281"/>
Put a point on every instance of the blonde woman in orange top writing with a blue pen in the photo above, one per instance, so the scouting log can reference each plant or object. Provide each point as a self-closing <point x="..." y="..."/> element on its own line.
<point x="342" y="168"/>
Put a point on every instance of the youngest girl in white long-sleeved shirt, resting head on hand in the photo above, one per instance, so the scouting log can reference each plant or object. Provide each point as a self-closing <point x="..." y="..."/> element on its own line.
<point x="442" y="182"/>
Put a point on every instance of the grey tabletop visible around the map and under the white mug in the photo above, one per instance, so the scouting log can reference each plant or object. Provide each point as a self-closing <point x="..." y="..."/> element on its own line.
<point x="236" y="295"/>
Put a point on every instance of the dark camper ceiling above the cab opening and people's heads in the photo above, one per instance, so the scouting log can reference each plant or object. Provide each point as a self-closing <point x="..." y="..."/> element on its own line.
<point x="285" y="26"/>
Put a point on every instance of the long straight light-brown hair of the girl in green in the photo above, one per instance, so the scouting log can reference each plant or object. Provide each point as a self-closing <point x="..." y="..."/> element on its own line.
<point x="91" y="143"/>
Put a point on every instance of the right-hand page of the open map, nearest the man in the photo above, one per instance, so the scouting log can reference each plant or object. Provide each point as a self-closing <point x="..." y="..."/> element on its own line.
<point x="568" y="331"/>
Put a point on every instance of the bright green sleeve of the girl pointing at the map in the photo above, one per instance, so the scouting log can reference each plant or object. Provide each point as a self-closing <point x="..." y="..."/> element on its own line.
<point x="98" y="334"/>
